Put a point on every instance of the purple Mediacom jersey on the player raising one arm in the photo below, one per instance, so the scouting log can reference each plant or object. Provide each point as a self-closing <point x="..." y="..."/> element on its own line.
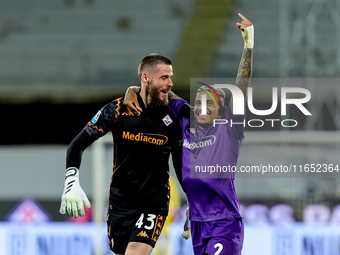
<point x="209" y="164"/>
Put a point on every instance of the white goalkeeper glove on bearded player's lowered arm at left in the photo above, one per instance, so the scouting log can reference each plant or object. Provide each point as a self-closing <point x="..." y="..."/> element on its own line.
<point x="74" y="198"/>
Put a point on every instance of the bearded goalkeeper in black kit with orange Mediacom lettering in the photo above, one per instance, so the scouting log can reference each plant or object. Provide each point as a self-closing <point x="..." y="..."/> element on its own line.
<point x="139" y="190"/>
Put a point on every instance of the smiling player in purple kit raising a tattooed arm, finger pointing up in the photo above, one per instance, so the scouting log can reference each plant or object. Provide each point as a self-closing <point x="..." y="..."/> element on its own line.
<point x="216" y="221"/>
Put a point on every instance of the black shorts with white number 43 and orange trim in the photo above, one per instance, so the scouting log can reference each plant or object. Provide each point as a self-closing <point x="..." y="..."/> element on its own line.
<point x="143" y="228"/>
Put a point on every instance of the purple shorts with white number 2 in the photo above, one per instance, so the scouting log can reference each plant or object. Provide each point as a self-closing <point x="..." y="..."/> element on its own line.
<point x="219" y="237"/>
